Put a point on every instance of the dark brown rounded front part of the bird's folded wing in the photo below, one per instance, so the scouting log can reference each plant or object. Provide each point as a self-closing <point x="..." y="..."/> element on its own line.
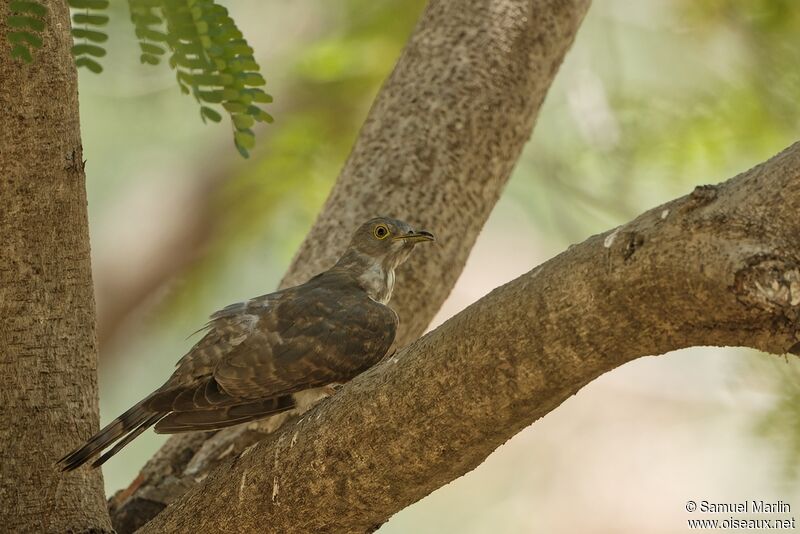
<point x="326" y="331"/>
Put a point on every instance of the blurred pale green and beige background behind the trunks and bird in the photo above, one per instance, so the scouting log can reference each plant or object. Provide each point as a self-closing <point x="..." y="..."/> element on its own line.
<point x="655" y="97"/>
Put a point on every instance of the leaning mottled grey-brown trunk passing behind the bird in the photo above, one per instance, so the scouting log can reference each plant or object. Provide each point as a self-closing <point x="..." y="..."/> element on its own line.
<point x="436" y="150"/>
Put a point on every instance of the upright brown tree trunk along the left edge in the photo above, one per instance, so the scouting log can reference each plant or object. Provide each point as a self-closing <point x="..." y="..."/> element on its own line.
<point x="48" y="358"/>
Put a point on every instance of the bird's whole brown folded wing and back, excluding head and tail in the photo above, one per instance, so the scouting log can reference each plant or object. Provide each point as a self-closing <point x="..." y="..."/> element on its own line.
<point x="322" y="332"/>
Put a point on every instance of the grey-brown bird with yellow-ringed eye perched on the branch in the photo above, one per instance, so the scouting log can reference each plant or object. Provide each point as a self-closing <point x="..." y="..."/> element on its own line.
<point x="273" y="353"/>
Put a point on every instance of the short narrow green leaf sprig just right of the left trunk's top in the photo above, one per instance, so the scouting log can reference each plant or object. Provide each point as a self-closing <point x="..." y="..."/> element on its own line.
<point x="87" y="19"/>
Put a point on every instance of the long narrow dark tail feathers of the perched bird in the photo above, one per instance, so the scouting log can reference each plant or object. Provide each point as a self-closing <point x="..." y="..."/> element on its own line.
<point x="124" y="428"/>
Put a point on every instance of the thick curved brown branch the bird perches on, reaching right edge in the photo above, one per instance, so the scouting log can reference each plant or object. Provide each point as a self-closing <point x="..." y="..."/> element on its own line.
<point x="720" y="266"/>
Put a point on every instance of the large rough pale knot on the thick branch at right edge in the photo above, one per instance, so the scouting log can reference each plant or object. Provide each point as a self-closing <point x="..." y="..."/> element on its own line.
<point x="770" y="283"/>
